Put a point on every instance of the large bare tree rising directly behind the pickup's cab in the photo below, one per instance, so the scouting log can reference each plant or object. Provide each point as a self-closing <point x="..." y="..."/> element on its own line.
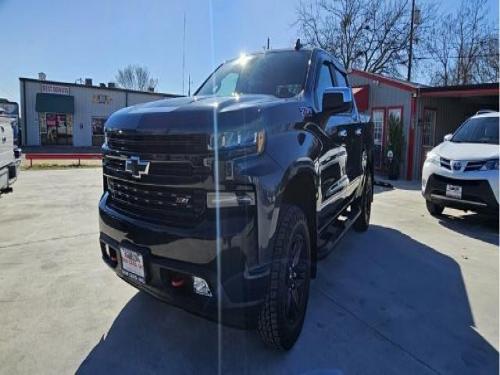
<point x="364" y="34"/>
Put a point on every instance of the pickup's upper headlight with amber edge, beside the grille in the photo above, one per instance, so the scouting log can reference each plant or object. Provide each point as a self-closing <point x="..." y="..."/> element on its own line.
<point x="248" y="140"/>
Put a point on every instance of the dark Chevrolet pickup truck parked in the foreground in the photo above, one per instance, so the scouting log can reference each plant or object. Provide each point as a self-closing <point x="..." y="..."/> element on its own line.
<point x="222" y="203"/>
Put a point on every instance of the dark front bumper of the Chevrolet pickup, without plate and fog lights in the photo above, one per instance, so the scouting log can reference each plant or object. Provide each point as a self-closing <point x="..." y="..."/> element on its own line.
<point x="169" y="252"/>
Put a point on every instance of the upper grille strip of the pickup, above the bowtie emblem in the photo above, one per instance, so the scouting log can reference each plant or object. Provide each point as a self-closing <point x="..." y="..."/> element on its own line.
<point x="158" y="144"/>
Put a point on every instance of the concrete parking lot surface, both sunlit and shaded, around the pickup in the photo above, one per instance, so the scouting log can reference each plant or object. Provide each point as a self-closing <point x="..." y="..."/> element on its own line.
<point x="413" y="295"/>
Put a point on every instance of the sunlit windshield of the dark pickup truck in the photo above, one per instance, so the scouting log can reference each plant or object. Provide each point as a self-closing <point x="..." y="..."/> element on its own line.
<point x="281" y="74"/>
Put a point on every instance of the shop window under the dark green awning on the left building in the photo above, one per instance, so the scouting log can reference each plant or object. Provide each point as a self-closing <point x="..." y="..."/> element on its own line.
<point x="56" y="128"/>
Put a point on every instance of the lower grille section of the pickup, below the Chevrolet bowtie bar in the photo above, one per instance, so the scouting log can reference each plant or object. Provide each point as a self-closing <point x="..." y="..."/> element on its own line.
<point x="157" y="203"/>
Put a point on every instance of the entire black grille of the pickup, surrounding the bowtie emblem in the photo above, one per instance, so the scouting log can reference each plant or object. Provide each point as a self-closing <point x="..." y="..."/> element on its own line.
<point x="169" y="193"/>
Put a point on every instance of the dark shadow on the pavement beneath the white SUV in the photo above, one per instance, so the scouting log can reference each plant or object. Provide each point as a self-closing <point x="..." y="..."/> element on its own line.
<point x="480" y="227"/>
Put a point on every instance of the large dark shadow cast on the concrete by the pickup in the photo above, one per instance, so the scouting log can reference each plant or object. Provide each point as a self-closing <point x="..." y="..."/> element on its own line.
<point x="382" y="304"/>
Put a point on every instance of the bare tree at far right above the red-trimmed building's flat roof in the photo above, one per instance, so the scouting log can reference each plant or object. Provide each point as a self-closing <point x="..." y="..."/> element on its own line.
<point x="464" y="47"/>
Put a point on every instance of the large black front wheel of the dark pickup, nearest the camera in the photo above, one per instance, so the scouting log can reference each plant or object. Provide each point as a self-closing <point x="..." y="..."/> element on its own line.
<point x="282" y="315"/>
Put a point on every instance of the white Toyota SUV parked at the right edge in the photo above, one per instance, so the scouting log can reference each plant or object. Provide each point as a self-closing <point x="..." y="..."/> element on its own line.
<point x="462" y="172"/>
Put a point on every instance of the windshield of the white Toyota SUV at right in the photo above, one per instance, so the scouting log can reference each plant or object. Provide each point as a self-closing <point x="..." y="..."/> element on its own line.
<point x="478" y="130"/>
